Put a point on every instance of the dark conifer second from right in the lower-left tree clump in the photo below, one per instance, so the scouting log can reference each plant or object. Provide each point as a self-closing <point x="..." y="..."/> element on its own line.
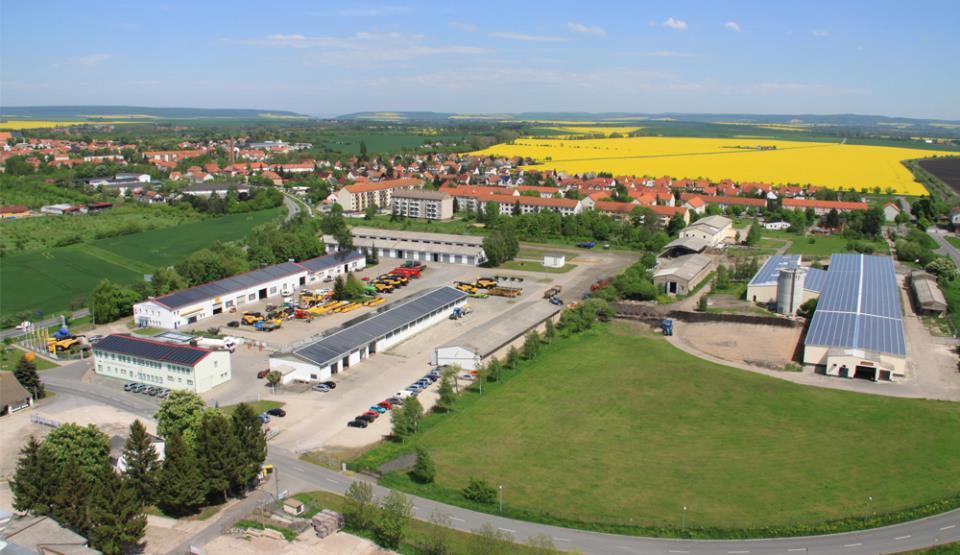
<point x="218" y="453"/>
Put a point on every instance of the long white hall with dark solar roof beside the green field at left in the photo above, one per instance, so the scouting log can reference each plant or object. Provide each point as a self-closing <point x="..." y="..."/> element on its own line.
<point x="188" y="306"/>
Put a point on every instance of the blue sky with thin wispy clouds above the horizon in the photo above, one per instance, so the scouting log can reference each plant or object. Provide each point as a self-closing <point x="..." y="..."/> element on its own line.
<point x="328" y="58"/>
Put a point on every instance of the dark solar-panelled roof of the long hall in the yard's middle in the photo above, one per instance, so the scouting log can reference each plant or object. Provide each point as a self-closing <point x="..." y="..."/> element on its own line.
<point x="340" y="343"/>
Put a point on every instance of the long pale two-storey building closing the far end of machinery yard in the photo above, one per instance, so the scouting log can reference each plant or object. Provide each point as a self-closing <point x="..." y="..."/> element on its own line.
<point x="411" y="245"/>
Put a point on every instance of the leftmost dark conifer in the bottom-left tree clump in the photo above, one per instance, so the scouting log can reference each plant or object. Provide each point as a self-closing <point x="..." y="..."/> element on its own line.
<point x="34" y="481"/>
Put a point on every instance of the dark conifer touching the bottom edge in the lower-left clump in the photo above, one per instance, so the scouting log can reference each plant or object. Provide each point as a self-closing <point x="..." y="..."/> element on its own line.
<point x="117" y="514"/>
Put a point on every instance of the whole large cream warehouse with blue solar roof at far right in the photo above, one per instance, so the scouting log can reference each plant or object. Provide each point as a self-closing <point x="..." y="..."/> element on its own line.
<point x="857" y="329"/>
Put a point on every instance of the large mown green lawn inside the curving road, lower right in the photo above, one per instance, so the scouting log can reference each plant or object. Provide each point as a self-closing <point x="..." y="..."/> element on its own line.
<point x="618" y="427"/>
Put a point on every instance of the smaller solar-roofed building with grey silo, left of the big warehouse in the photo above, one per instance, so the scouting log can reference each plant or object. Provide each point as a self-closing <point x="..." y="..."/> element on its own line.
<point x="784" y="273"/>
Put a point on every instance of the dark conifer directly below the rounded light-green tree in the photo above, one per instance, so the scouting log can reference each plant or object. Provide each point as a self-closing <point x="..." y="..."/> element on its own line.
<point x="181" y="485"/>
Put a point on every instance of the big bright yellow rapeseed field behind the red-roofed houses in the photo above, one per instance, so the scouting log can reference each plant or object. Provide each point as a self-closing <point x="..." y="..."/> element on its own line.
<point x="825" y="164"/>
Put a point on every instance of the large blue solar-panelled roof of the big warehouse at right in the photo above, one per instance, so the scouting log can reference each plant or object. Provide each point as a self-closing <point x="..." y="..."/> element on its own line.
<point x="859" y="307"/>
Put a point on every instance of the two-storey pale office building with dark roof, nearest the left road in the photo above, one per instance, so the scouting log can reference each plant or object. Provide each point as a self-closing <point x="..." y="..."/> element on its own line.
<point x="161" y="364"/>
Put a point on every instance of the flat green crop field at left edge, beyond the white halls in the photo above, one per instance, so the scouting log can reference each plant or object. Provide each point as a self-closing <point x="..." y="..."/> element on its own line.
<point x="50" y="280"/>
